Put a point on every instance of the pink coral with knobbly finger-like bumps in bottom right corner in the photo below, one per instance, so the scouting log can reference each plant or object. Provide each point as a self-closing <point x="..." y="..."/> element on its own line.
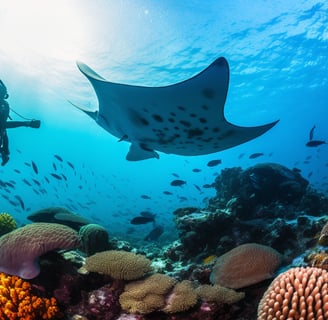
<point x="298" y="293"/>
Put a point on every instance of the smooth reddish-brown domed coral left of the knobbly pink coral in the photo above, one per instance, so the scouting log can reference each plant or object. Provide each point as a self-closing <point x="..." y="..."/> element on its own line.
<point x="245" y="265"/>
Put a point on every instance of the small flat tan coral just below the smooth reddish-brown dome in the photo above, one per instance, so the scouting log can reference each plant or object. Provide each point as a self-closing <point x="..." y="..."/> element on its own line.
<point x="218" y="294"/>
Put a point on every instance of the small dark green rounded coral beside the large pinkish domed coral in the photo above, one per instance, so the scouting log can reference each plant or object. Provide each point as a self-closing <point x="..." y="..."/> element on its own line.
<point x="94" y="238"/>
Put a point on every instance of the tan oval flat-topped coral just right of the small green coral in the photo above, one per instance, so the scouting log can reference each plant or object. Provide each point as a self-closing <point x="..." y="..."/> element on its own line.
<point x="118" y="264"/>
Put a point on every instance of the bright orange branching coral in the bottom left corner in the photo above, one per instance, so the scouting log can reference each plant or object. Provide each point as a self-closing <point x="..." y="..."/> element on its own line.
<point x="18" y="303"/>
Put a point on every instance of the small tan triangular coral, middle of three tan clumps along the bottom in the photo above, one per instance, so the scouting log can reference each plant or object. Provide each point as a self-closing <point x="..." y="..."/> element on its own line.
<point x="182" y="297"/>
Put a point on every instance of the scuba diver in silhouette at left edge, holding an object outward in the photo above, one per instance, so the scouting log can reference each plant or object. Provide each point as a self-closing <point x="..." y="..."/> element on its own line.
<point x="4" y="124"/>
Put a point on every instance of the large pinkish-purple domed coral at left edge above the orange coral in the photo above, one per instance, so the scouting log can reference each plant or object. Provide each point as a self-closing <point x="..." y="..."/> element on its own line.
<point x="21" y="248"/>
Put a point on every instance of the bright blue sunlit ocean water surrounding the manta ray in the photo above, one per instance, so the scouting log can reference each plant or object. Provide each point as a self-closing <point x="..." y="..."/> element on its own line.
<point x="277" y="52"/>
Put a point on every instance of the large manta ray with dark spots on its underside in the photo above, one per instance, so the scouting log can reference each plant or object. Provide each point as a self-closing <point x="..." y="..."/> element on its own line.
<point x="186" y="118"/>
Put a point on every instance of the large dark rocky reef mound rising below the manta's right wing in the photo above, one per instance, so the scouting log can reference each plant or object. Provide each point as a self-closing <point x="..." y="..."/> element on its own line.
<point x="267" y="204"/>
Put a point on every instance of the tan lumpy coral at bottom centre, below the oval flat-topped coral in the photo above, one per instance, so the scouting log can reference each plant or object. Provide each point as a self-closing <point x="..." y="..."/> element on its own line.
<point x="147" y="295"/>
